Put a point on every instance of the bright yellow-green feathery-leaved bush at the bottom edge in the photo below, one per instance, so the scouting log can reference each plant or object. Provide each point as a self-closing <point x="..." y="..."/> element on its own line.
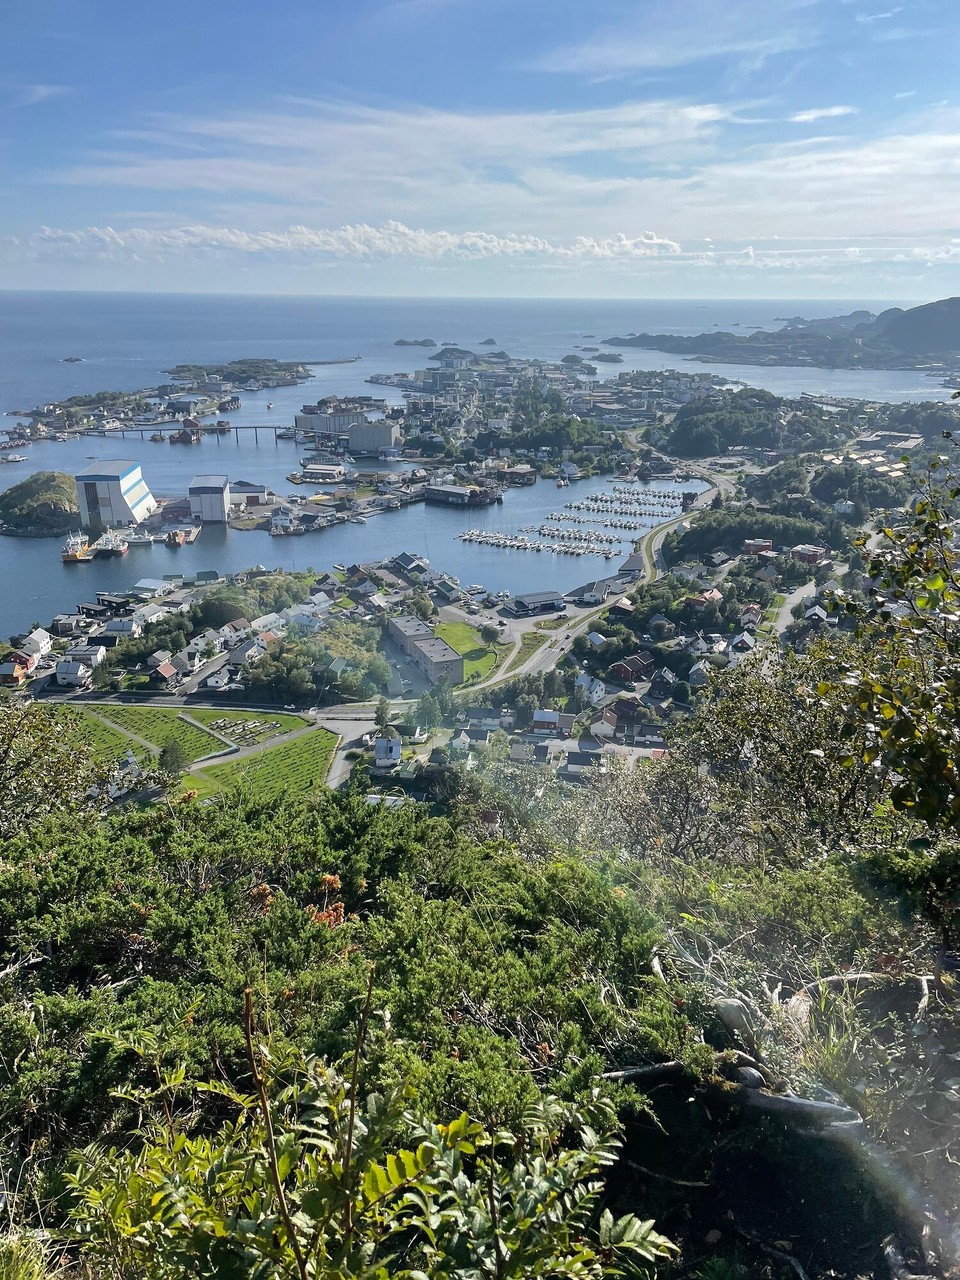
<point x="312" y="1181"/>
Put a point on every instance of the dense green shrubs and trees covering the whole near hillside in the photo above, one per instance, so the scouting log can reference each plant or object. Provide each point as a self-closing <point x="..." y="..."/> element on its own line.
<point x="533" y="1030"/>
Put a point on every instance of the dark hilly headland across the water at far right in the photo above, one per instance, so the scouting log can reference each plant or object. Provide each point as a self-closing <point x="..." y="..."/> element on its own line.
<point x="913" y="339"/>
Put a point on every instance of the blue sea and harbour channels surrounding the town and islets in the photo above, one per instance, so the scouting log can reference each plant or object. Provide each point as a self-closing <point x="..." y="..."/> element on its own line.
<point x="127" y="341"/>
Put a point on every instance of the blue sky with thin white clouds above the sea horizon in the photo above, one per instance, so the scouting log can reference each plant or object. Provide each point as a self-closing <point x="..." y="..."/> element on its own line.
<point x="662" y="149"/>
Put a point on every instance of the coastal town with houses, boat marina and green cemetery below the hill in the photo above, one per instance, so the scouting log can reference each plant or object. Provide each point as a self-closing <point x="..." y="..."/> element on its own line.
<point x="715" y="519"/>
